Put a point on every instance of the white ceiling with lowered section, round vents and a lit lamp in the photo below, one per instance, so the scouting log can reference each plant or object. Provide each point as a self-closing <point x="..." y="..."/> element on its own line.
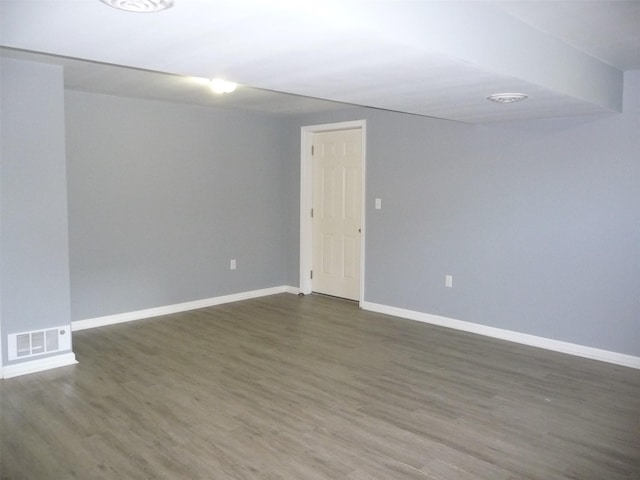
<point x="432" y="58"/>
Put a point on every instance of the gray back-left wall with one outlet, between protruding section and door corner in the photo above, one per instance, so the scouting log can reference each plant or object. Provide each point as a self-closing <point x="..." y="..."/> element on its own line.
<point x="163" y="195"/>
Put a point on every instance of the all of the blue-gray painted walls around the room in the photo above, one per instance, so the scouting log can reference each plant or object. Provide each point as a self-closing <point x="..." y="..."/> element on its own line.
<point x="538" y="222"/>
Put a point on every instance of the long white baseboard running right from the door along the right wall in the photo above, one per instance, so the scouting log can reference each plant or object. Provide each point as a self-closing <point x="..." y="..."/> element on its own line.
<point x="516" y="337"/>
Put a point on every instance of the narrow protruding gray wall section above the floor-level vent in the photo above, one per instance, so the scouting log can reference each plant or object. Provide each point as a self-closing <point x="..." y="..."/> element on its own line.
<point x="34" y="266"/>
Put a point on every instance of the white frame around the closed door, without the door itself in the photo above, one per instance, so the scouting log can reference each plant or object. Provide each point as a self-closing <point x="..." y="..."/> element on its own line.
<point x="306" y="197"/>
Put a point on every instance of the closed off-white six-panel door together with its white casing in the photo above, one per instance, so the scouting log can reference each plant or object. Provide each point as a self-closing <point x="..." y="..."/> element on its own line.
<point x="334" y="187"/>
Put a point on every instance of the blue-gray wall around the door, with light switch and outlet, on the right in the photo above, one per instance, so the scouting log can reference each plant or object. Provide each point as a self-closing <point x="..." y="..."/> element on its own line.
<point x="538" y="222"/>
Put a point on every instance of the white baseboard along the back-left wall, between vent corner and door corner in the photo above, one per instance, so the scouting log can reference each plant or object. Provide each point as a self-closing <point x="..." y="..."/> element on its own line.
<point x="176" y="308"/>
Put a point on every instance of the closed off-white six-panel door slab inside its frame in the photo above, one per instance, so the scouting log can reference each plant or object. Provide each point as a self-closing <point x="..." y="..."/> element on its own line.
<point x="336" y="237"/>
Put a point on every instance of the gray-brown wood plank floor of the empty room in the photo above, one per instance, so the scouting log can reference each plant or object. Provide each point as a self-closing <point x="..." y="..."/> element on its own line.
<point x="289" y="387"/>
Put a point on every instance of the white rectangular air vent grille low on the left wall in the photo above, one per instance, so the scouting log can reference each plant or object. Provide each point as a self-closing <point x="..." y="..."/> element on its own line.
<point x="38" y="342"/>
